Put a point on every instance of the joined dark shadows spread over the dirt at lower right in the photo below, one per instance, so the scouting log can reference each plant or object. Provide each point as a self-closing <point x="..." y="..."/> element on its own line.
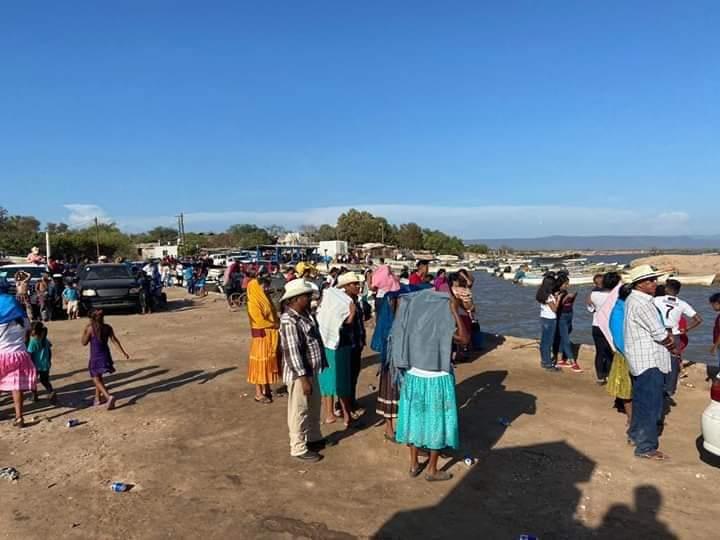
<point x="520" y="490"/>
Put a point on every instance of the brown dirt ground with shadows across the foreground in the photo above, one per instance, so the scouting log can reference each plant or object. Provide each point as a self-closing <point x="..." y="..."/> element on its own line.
<point x="206" y="461"/>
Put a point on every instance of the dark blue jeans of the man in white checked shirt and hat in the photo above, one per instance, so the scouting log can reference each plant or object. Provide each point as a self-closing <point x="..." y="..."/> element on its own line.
<point x="648" y="401"/>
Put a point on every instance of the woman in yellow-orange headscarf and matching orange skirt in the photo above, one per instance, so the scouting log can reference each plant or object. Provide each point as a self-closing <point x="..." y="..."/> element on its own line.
<point x="263" y="366"/>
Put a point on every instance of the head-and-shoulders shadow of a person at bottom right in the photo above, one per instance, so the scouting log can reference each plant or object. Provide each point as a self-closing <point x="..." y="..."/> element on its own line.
<point x="620" y="521"/>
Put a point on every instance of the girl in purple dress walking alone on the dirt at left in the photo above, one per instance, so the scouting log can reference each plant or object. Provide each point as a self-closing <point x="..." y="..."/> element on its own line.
<point x="98" y="335"/>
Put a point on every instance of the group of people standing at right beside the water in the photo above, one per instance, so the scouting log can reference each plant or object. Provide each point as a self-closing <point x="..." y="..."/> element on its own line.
<point x="640" y="329"/>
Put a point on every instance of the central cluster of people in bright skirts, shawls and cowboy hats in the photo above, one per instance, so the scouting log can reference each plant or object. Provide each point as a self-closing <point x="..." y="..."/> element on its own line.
<point x="315" y="345"/>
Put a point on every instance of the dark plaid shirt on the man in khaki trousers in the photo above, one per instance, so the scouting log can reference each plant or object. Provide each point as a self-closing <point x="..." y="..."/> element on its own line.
<point x="301" y="346"/>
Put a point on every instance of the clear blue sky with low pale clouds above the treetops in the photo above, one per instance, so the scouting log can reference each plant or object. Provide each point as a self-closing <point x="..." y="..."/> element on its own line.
<point x="500" y="119"/>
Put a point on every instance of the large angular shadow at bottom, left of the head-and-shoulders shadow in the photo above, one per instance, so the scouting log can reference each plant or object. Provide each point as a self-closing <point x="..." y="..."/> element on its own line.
<point x="512" y="491"/>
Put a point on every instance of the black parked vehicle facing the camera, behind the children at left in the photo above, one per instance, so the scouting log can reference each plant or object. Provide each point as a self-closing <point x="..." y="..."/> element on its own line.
<point x="108" y="286"/>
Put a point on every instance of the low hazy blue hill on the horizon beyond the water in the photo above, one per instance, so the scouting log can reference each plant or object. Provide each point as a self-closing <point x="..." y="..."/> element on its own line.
<point x="604" y="242"/>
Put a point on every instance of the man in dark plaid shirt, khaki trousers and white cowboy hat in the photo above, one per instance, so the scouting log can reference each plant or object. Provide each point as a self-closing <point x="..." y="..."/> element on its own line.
<point x="303" y="359"/>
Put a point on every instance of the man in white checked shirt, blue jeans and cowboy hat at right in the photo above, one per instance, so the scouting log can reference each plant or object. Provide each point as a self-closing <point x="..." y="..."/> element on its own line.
<point x="648" y="348"/>
